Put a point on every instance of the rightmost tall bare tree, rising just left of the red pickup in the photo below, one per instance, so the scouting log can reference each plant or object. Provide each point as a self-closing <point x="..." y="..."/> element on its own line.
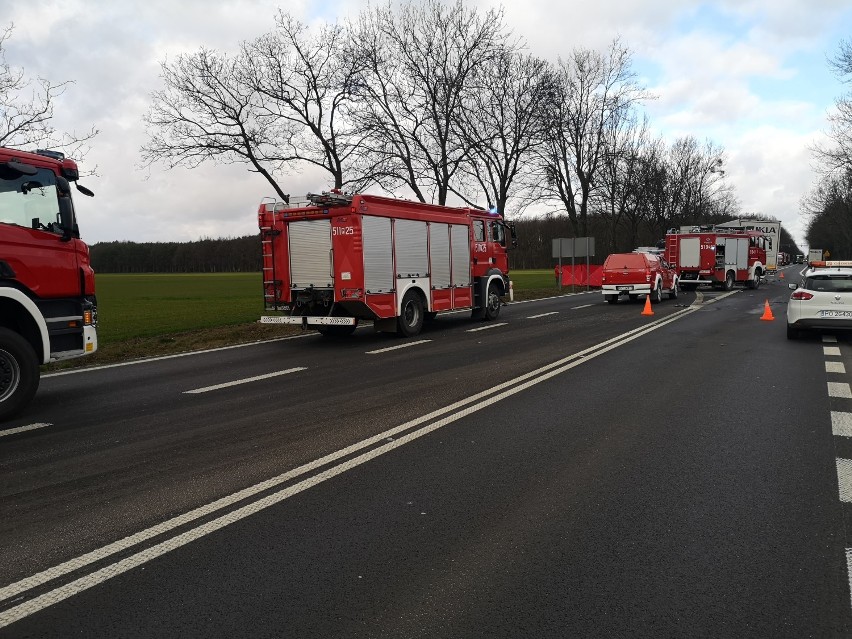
<point x="594" y="92"/>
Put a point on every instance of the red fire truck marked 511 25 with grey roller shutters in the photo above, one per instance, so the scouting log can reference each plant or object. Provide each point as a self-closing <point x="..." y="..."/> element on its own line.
<point x="335" y="259"/>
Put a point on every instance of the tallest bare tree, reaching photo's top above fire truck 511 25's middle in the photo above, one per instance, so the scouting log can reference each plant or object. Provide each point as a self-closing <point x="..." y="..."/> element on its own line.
<point x="420" y="64"/>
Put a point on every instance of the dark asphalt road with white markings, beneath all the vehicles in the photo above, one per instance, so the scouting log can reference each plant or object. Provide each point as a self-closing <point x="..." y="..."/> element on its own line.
<point x="572" y="469"/>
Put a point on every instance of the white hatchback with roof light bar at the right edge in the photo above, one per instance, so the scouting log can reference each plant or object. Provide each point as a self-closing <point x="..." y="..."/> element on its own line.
<point x="823" y="299"/>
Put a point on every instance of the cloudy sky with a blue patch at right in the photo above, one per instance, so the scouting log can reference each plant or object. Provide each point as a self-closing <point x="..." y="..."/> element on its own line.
<point x="750" y="75"/>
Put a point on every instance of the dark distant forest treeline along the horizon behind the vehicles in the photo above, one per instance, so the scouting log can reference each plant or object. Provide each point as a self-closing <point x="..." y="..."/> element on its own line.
<point x="242" y="254"/>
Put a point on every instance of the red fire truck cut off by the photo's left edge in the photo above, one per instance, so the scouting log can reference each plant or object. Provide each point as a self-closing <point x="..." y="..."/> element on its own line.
<point x="48" y="309"/>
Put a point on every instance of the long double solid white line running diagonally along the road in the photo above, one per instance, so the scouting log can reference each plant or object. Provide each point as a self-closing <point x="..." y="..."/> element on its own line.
<point x="451" y="413"/>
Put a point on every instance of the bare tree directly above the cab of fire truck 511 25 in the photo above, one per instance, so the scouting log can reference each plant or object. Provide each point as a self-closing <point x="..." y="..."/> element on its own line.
<point x="502" y="124"/>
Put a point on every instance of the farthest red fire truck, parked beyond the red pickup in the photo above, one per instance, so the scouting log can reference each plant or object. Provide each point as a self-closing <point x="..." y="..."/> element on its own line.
<point x="717" y="256"/>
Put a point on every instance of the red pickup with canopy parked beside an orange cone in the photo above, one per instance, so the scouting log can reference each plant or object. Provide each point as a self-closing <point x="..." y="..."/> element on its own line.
<point x="635" y="274"/>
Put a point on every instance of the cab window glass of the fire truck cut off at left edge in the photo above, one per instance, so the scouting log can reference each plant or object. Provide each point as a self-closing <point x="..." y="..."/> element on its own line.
<point x="30" y="200"/>
